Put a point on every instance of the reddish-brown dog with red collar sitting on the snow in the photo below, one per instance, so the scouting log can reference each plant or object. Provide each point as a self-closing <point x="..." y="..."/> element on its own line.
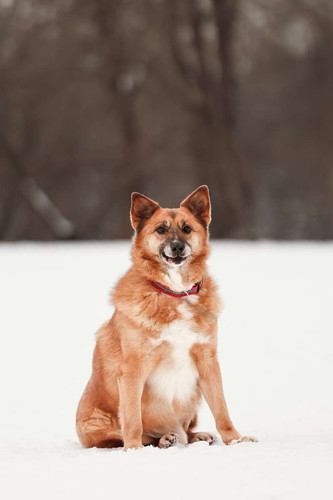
<point x="156" y="356"/>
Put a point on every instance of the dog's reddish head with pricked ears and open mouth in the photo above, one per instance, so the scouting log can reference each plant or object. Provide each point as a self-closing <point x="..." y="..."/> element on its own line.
<point x="172" y="237"/>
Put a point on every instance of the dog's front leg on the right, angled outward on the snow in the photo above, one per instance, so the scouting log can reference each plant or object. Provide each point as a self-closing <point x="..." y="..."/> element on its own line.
<point x="210" y="382"/>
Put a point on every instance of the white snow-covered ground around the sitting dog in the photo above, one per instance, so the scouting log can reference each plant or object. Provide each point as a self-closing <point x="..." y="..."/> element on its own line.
<point x="276" y="352"/>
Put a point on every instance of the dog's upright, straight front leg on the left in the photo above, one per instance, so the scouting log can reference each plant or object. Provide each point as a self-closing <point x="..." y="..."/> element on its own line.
<point x="130" y="385"/>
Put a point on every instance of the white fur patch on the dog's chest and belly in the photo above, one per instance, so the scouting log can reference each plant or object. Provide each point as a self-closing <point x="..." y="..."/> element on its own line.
<point x="176" y="375"/>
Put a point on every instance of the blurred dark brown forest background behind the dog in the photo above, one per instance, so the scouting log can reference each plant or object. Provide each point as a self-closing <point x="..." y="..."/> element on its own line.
<point x="99" y="98"/>
